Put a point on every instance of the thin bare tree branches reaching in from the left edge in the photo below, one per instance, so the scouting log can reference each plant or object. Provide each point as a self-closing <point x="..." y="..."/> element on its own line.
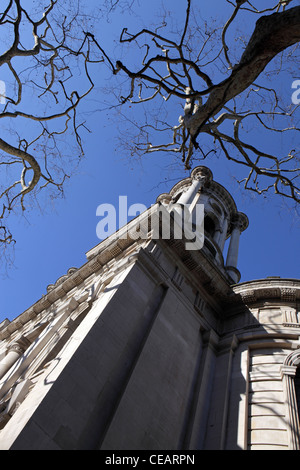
<point x="45" y="62"/>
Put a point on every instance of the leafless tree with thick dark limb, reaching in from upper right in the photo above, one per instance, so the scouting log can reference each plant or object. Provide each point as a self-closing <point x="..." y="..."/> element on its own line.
<point x="215" y="78"/>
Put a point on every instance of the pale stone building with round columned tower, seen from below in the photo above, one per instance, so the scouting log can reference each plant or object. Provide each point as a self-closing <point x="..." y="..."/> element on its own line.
<point x="153" y="346"/>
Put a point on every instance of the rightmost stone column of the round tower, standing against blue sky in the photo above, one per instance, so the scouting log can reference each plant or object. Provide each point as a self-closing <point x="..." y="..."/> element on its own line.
<point x="240" y="223"/>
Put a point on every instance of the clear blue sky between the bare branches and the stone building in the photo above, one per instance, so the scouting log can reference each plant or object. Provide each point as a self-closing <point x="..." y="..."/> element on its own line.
<point x="52" y="241"/>
